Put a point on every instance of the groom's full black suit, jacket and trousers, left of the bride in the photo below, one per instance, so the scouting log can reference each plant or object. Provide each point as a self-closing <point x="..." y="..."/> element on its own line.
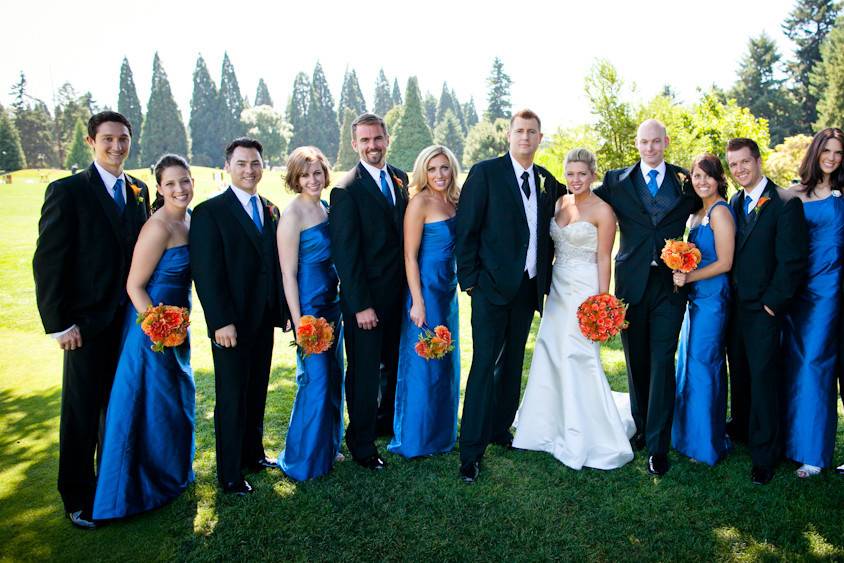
<point x="491" y="250"/>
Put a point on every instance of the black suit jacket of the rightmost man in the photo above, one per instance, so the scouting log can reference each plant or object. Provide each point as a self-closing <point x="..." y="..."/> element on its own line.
<point x="772" y="249"/>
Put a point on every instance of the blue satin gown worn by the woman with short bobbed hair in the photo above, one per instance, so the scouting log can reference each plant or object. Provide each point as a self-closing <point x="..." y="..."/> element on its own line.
<point x="316" y="423"/>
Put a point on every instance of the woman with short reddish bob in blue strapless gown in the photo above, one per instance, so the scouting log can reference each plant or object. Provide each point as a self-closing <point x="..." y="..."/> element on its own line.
<point x="310" y="288"/>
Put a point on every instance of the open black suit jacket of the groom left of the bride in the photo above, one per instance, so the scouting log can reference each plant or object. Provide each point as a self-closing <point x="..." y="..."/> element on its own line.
<point x="492" y="230"/>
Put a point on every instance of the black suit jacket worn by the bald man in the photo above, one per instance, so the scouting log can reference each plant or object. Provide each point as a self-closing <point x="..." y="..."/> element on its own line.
<point x="639" y="234"/>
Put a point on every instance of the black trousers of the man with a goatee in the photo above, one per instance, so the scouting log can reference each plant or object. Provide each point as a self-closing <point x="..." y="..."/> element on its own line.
<point x="372" y="358"/>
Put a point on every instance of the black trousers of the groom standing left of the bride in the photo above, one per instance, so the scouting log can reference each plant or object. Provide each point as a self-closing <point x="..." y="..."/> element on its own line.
<point x="499" y="334"/>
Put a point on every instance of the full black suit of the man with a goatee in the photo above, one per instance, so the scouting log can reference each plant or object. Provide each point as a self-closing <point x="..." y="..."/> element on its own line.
<point x="368" y="252"/>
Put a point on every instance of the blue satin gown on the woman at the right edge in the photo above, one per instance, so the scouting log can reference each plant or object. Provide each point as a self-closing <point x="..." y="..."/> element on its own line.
<point x="810" y="340"/>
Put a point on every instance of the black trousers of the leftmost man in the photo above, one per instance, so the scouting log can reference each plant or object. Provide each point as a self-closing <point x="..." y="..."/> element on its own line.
<point x="86" y="384"/>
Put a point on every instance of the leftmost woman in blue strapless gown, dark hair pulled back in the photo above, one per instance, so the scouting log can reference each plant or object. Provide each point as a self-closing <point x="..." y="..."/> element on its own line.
<point x="148" y="441"/>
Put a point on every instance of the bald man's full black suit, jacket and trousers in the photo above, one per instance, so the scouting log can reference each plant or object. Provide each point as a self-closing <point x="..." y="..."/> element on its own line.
<point x="655" y="311"/>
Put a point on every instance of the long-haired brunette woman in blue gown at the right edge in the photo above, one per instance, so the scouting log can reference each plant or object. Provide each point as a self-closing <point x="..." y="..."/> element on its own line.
<point x="809" y="332"/>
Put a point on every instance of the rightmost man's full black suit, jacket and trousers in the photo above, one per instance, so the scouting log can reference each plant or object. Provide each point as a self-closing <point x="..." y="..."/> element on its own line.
<point x="769" y="267"/>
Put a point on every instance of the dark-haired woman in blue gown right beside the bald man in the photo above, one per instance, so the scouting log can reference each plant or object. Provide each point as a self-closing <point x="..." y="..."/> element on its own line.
<point x="700" y="409"/>
